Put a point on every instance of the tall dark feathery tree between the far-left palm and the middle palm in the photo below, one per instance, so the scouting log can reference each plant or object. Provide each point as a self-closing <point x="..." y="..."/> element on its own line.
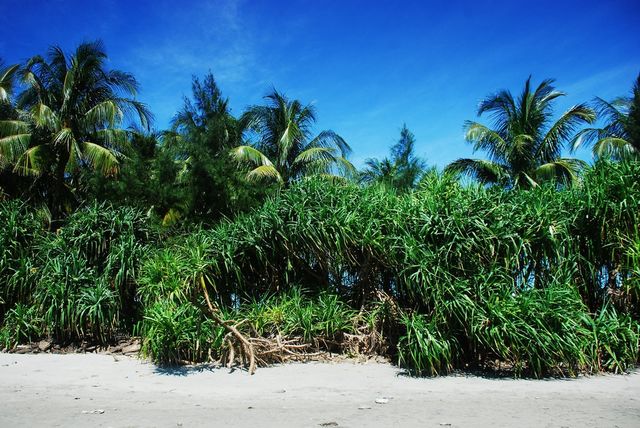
<point x="205" y="180"/>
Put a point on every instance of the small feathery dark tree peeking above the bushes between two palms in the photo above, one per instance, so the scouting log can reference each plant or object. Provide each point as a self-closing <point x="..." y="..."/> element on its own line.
<point x="402" y="171"/>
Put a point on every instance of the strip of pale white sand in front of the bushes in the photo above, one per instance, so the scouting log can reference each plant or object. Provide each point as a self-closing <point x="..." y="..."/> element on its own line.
<point x="96" y="390"/>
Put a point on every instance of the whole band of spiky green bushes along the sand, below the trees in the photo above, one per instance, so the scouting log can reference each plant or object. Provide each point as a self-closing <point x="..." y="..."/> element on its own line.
<point x="540" y="281"/>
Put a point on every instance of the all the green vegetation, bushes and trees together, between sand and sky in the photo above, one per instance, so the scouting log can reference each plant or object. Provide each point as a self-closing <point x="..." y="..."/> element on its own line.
<point x="255" y="229"/>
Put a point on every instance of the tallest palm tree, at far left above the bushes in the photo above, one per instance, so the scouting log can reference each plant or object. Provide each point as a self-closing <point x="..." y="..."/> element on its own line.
<point x="70" y="116"/>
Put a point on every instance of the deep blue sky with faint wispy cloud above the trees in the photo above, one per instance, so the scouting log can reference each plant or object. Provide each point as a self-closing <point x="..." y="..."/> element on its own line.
<point x="368" y="66"/>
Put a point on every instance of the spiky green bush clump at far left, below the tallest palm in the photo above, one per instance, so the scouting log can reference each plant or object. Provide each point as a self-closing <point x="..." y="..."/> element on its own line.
<point x="80" y="279"/>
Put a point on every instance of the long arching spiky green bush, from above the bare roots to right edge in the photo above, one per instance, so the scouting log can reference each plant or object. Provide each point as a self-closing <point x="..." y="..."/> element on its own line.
<point x="485" y="274"/>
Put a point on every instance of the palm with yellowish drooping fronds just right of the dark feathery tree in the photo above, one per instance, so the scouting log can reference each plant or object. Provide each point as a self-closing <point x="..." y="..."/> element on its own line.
<point x="285" y="151"/>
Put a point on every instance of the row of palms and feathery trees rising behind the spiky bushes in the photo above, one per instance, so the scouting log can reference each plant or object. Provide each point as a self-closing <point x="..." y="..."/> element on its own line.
<point x="72" y="130"/>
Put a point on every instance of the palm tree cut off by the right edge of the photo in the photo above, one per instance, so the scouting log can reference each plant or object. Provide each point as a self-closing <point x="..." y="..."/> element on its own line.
<point x="620" y="136"/>
